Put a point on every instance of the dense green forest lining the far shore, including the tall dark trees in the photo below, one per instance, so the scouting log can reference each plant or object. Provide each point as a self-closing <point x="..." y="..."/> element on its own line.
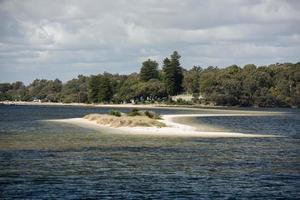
<point x="264" y="86"/>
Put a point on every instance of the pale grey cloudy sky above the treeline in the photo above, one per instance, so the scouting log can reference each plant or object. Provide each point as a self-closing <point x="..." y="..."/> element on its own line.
<point x="62" y="39"/>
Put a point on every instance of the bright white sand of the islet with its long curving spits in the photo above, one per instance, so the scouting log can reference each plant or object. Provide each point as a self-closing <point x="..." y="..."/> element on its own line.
<point x="172" y="129"/>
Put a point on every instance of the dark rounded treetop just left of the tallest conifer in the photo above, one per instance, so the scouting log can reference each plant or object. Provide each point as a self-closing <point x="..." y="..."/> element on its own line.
<point x="149" y="70"/>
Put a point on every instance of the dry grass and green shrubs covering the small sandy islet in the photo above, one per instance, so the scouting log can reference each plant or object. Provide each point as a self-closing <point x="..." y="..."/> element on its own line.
<point x="117" y="119"/>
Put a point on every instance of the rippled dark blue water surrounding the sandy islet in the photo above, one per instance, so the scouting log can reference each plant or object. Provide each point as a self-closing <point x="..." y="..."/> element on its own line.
<point x="43" y="160"/>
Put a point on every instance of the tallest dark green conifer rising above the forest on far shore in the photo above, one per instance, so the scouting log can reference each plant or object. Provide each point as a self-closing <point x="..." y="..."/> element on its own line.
<point x="173" y="74"/>
